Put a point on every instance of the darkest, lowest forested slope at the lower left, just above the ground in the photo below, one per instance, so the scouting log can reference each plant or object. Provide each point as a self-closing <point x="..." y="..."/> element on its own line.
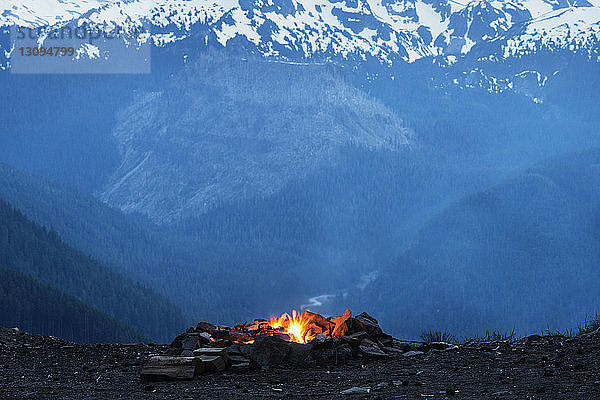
<point x="37" y="308"/>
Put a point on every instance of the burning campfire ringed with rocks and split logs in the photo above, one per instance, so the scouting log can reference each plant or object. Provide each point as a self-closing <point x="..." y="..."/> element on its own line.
<point x="299" y="340"/>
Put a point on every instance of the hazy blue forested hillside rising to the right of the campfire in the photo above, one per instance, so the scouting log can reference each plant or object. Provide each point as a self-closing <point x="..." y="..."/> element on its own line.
<point x="523" y="254"/>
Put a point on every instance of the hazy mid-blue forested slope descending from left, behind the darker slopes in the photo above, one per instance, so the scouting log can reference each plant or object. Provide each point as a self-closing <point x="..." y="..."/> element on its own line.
<point x="197" y="275"/>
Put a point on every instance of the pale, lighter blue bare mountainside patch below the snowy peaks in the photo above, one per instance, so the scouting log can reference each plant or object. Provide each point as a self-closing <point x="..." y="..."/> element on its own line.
<point x="225" y="129"/>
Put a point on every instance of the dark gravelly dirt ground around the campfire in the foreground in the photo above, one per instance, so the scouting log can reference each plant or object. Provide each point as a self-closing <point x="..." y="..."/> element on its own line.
<point x="549" y="367"/>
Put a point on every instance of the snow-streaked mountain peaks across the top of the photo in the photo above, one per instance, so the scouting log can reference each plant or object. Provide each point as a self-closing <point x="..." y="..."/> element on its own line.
<point x="388" y="30"/>
